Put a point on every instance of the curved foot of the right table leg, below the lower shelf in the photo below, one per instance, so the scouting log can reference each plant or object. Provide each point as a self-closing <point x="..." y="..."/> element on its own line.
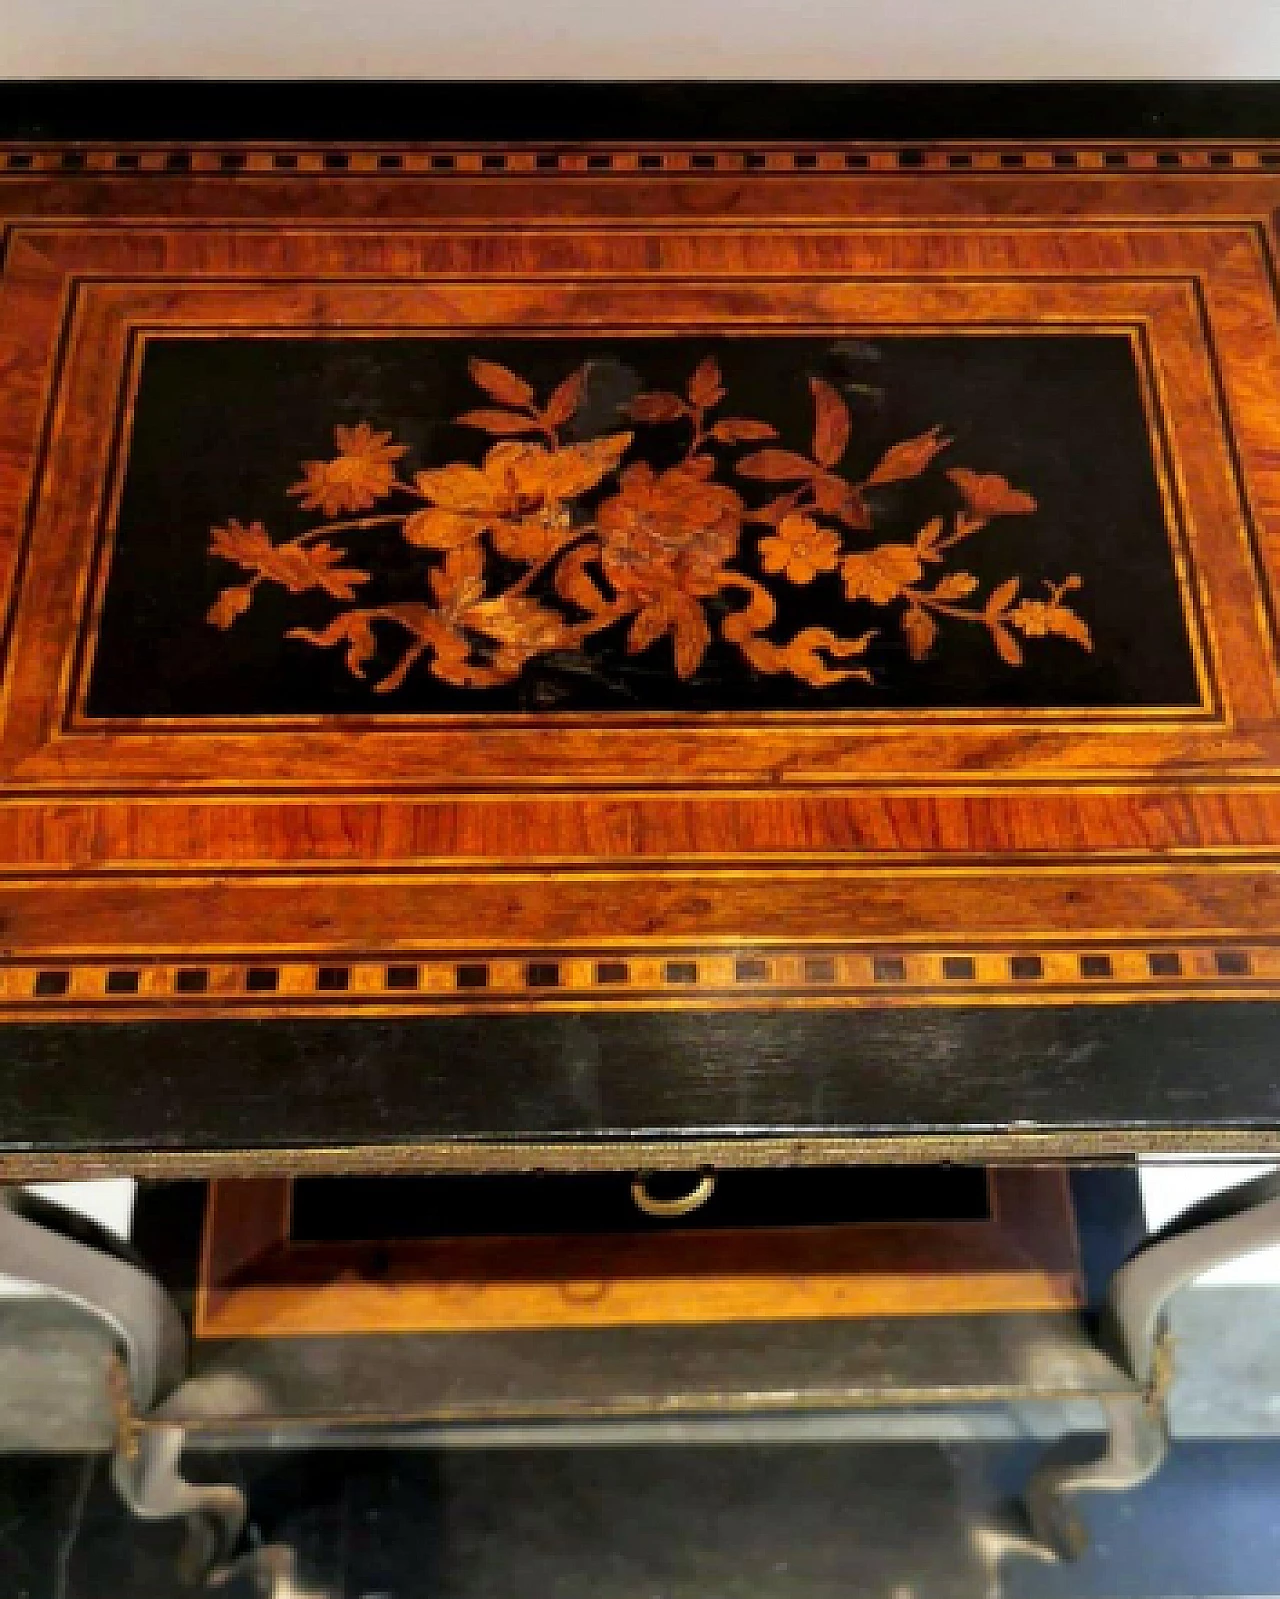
<point x="1135" y="1446"/>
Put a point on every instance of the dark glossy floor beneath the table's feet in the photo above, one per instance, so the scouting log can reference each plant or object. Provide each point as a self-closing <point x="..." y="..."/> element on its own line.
<point x="792" y="1521"/>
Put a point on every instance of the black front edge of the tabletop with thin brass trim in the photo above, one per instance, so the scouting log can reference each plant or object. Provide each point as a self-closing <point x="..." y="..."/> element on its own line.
<point x="621" y="1093"/>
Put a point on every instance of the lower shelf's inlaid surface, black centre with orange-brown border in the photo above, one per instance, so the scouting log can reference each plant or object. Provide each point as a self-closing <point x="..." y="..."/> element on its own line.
<point x="536" y="1253"/>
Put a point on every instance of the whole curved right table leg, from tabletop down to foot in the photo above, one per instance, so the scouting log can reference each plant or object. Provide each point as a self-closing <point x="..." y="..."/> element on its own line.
<point x="1135" y="1331"/>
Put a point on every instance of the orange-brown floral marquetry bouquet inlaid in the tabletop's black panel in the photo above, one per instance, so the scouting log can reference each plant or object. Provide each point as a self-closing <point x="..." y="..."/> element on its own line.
<point x="682" y="525"/>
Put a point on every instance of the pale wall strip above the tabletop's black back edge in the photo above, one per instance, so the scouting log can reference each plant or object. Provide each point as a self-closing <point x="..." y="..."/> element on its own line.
<point x="653" y="39"/>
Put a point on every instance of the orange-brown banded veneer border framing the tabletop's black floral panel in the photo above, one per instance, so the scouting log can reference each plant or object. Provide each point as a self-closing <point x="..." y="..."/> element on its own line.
<point x="1060" y="863"/>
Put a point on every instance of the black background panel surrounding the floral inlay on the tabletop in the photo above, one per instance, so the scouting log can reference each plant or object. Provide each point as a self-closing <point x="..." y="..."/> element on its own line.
<point x="223" y="426"/>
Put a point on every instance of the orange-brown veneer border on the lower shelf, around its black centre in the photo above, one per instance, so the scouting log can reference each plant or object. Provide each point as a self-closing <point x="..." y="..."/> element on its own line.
<point x="258" y="1282"/>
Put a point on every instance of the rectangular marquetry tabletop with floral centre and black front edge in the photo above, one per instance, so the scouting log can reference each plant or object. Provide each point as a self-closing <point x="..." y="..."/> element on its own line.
<point x="638" y="652"/>
